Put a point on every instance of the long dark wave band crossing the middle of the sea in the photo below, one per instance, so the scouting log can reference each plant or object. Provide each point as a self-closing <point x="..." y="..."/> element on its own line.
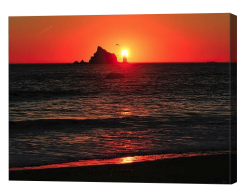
<point x="169" y="122"/>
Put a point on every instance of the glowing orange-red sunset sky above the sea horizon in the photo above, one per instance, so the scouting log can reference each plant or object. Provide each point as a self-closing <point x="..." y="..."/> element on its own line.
<point x="147" y="37"/>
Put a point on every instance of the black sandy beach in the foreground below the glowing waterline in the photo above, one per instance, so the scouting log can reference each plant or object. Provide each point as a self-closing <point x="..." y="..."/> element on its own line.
<point x="212" y="169"/>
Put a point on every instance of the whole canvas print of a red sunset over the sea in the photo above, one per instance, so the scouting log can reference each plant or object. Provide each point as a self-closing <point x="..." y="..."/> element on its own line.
<point x="123" y="98"/>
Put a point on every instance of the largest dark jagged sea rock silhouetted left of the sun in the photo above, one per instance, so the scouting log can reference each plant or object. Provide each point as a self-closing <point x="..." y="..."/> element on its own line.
<point x="101" y="56"/>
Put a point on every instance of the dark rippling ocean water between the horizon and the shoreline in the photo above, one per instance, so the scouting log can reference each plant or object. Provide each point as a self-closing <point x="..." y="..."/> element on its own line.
<point x="62" y="113"/>
